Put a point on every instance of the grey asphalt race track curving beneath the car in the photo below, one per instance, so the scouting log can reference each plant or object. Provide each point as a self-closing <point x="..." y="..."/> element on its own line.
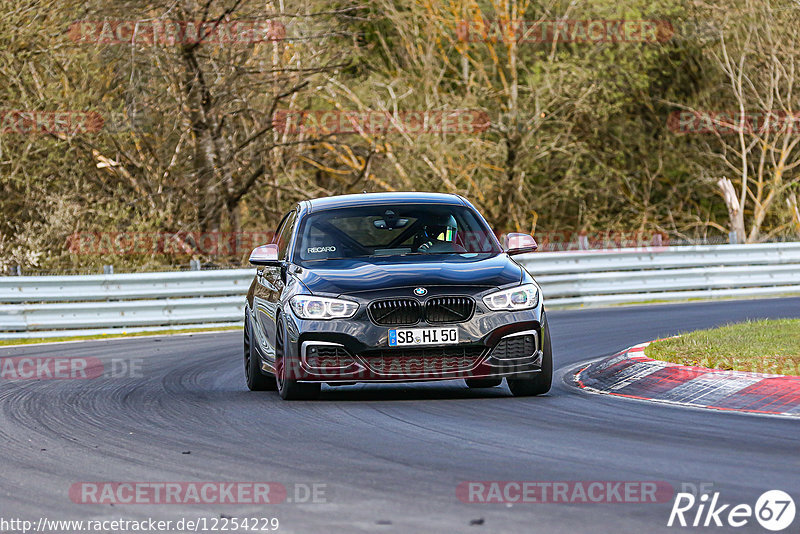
<point x="388" y="457"/>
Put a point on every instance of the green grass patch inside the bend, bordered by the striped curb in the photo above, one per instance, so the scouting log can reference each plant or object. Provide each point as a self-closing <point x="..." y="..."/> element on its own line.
<point x="765" y="346"/>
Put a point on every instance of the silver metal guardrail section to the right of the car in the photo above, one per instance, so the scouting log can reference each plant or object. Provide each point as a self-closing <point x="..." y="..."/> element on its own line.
<point x="587" y="278"/>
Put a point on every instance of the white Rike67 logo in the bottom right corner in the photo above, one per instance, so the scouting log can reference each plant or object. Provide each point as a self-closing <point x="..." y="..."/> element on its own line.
<point x="774" y="510"/>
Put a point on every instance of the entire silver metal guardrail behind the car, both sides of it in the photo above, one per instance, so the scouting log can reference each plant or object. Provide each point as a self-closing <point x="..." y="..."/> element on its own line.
<point x="33" y="306"/>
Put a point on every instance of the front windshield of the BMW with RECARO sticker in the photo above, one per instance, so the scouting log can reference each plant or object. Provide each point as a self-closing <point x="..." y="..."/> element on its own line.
<point x="392" y="230"/>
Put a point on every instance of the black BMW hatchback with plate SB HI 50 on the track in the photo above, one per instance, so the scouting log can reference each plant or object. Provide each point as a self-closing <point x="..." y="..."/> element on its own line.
<point x="393" y="287"/>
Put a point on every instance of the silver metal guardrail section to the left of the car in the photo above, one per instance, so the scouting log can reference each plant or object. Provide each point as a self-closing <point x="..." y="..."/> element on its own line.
<point x="39" y="306"/>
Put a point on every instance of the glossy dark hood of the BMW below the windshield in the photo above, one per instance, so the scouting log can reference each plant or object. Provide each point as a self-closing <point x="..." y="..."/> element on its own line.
<point x="357" y="276"/>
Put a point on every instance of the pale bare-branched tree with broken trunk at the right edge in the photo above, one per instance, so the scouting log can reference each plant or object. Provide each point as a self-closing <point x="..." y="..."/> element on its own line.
<point x="756" y="139"/>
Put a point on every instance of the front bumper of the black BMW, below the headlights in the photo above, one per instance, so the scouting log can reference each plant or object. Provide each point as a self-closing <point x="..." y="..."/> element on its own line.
<point x="491" y="344"/>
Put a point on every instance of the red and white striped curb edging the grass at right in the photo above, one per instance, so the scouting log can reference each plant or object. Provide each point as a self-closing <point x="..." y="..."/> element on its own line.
<point x="632" y="374"/>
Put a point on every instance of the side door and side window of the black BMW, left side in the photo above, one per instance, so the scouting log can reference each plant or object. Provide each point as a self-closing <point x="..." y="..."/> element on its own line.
<point x="269" y="286"/>
